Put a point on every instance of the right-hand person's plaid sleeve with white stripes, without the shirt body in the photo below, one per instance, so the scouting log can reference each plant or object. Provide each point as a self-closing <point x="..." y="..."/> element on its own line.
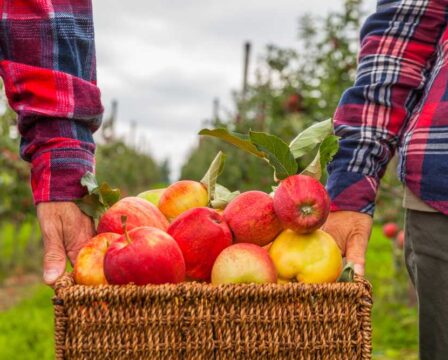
<point x="398" y="46"/>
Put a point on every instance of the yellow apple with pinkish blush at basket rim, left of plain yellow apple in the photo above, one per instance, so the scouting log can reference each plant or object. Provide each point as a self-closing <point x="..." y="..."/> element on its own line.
<point x="243" y="263"/>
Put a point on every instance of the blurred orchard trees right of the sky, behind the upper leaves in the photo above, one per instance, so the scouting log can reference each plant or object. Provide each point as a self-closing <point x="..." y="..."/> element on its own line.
<point x="292" y="89"/>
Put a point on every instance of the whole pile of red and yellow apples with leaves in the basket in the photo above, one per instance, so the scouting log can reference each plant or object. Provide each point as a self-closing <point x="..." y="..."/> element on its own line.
<point x="202" y="231"/>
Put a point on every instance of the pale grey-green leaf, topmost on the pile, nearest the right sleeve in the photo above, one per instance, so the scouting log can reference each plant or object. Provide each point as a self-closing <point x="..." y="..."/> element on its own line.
<point x="311" y="137"/>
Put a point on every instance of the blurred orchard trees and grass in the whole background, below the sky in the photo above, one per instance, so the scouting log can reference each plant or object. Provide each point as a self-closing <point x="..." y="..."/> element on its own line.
<point x="284" y="91"/>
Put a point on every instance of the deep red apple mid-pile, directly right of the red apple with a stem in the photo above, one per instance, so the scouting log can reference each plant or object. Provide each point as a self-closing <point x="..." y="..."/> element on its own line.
<point x="201" y="234"/>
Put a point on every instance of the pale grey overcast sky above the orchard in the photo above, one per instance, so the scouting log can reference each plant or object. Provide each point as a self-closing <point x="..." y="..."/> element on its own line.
<point x="166" y="60"/>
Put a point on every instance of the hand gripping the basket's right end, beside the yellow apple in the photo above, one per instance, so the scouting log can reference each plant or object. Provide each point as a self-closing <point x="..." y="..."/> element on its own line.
<point x="351" y="230"/>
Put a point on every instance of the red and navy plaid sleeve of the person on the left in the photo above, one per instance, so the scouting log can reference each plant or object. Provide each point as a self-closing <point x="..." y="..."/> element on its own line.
<point x="47" y="62"/>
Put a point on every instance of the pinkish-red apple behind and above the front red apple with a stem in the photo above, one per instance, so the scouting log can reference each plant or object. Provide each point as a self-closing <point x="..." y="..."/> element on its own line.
<point x="139" y="212"/>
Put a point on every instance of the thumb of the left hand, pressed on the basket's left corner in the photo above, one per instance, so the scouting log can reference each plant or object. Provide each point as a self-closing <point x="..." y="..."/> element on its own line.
<point x="54" y="259"/>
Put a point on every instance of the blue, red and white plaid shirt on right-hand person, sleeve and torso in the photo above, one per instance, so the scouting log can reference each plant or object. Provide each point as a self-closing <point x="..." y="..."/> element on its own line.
<point x="399" y="101"/>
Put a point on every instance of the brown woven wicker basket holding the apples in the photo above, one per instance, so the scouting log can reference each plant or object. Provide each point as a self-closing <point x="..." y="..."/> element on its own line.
<point x="202" y="321"/>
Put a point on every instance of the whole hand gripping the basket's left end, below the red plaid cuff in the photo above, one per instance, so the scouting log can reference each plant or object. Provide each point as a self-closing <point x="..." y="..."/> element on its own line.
<point x="65" y="230"/>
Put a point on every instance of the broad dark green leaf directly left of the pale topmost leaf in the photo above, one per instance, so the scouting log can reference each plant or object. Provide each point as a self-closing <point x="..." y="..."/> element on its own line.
<point x="277" y="153"/>
